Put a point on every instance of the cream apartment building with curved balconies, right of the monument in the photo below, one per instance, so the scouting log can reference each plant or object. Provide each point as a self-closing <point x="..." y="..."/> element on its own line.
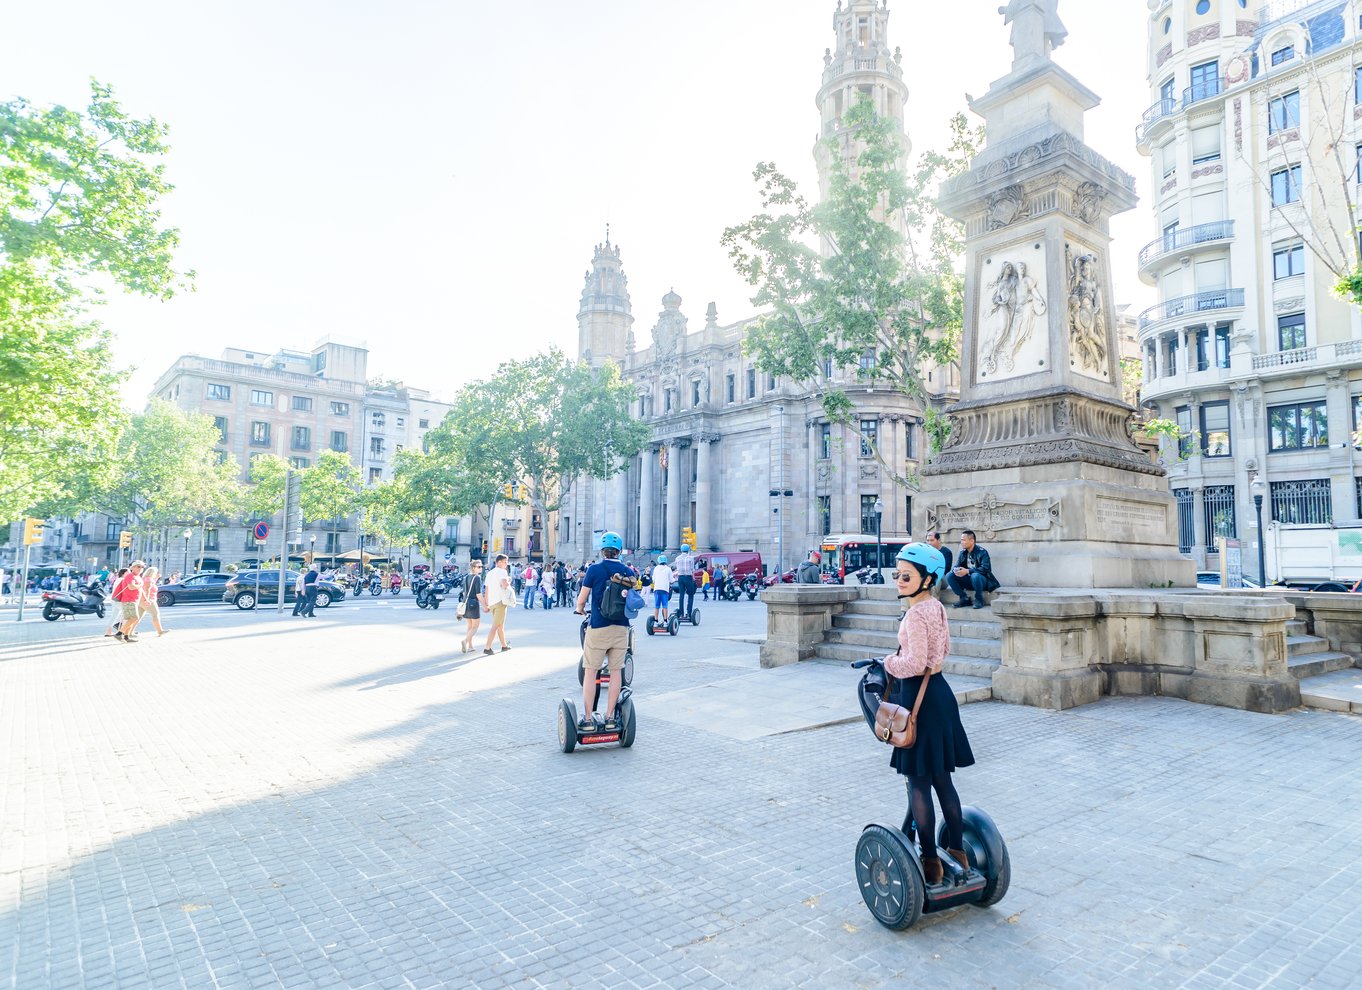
<point x="1254" y="138"/>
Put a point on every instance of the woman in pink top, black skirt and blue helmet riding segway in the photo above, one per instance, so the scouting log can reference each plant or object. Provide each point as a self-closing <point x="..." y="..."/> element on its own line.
<point x="942" y="744"/>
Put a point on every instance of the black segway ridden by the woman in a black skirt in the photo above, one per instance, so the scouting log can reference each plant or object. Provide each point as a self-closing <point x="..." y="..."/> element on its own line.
<point x="887" y="867"/>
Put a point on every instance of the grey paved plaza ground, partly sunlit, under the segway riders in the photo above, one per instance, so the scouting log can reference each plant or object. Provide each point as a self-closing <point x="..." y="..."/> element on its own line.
<point x="257" y="801"/>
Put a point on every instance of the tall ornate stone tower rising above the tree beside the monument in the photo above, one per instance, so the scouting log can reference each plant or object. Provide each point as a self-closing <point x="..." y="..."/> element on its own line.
<point x="861" y="66"/>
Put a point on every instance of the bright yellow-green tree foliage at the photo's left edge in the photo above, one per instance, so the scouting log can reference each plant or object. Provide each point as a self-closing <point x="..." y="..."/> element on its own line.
<point x="78" y="210"/>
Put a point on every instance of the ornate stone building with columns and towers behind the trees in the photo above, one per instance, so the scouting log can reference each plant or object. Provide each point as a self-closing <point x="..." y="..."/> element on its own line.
<point x="728" y="441"/>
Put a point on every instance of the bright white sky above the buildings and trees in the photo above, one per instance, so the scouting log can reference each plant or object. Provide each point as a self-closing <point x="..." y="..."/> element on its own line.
<point x="430" y="179"/>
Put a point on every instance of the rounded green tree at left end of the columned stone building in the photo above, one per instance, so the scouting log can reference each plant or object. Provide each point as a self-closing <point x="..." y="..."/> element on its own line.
<point x="543" y="423"/>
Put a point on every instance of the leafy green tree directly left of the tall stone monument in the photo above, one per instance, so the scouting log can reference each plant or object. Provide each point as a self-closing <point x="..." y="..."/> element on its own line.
<point x="870" y="278"/>
